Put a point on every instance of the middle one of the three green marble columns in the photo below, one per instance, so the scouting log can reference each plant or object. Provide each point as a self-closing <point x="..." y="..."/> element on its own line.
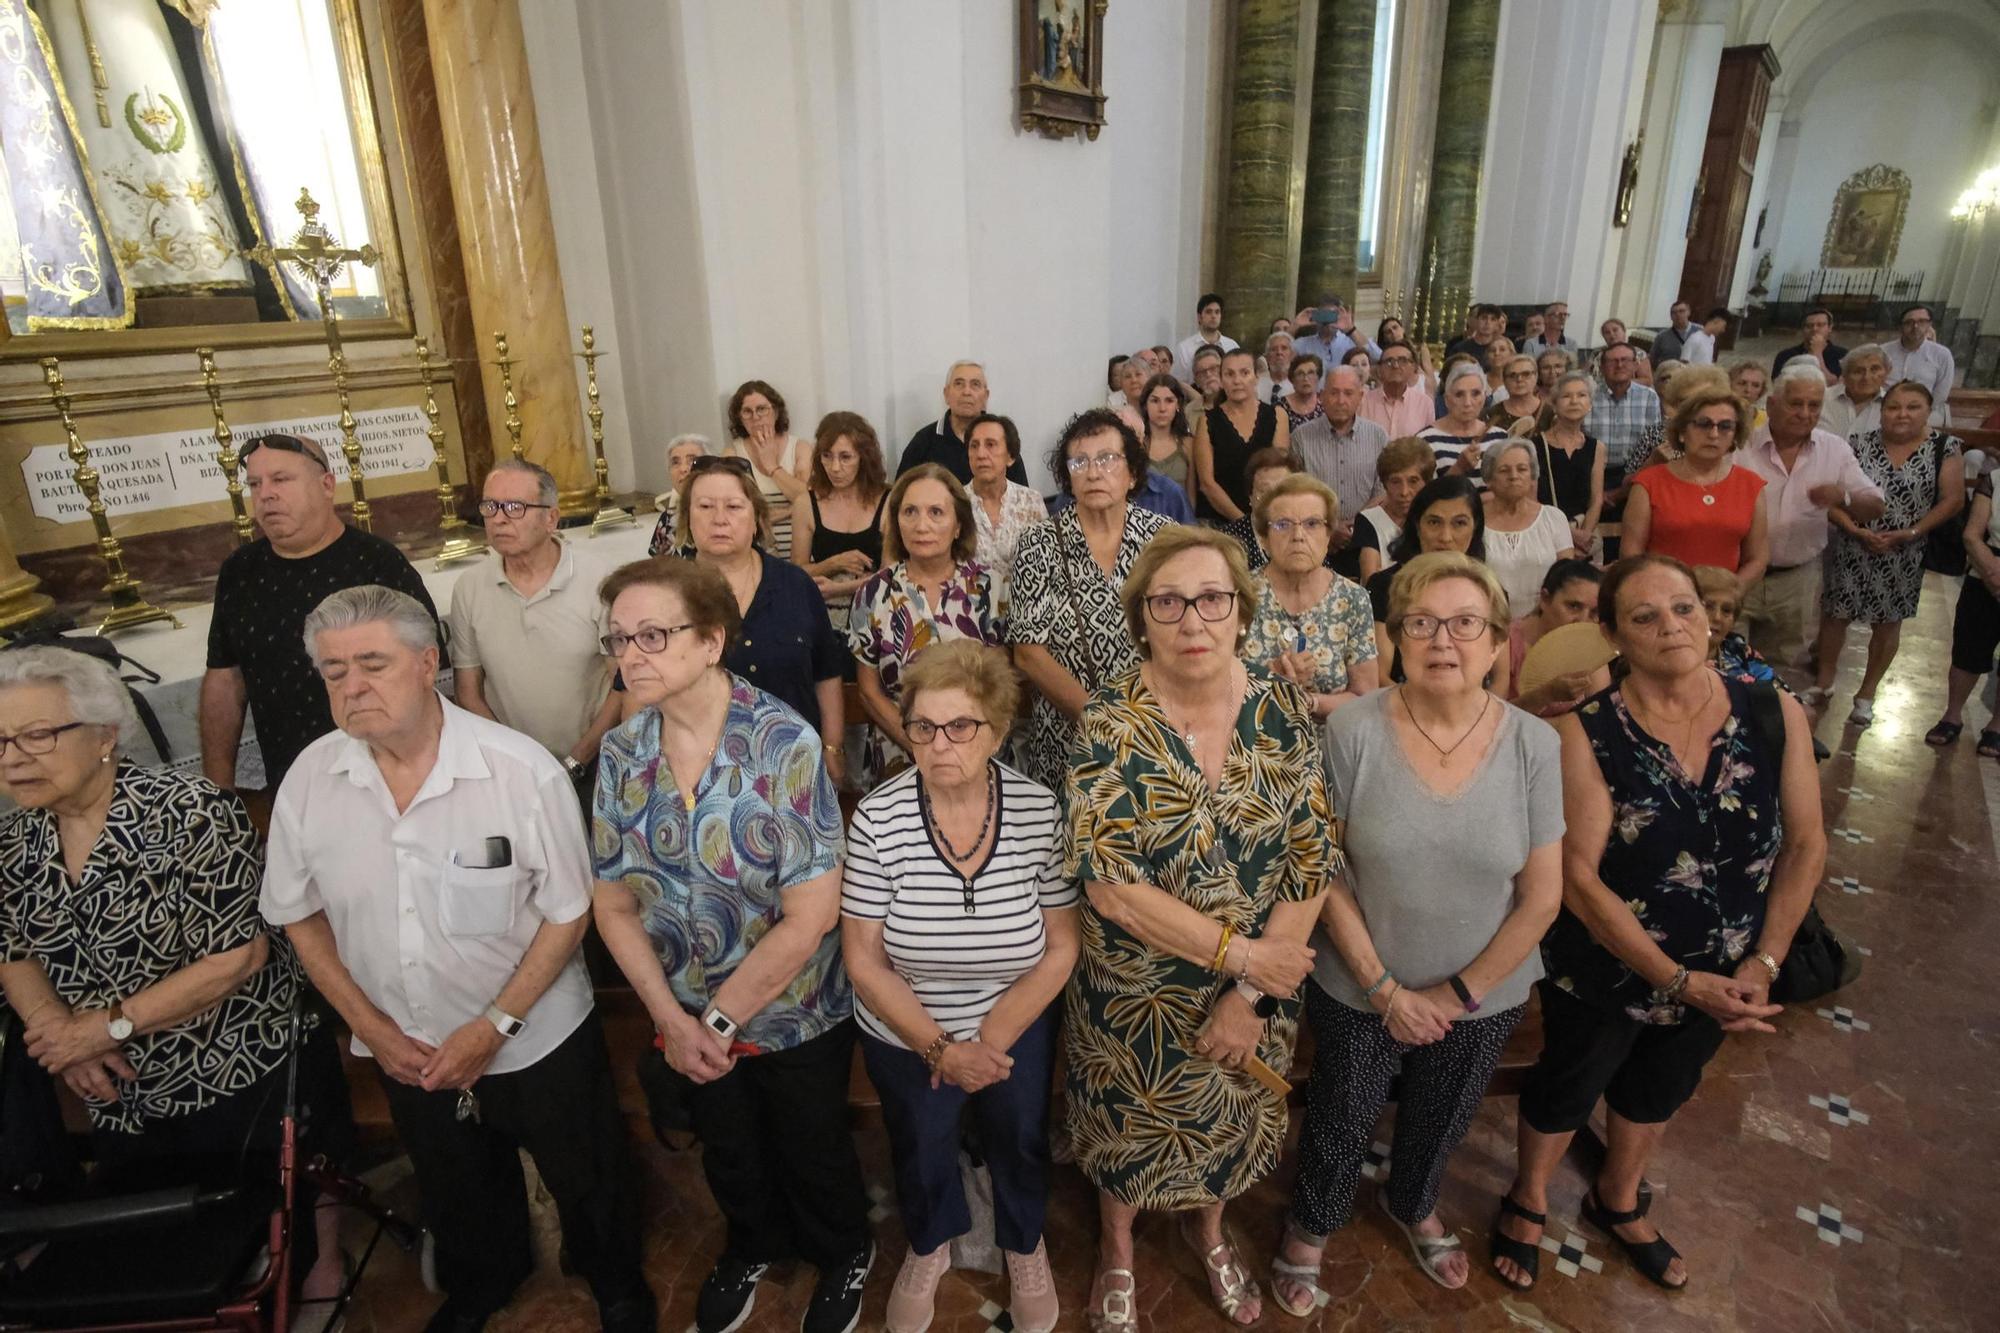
<point x="1337" y="151"/>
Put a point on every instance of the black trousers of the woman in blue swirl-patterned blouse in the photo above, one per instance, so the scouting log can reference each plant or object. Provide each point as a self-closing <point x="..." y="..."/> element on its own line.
<point x="779" y="1156"/>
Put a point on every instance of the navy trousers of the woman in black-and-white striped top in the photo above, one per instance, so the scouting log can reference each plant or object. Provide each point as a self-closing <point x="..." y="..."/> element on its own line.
<point x="1011" y="1122"/>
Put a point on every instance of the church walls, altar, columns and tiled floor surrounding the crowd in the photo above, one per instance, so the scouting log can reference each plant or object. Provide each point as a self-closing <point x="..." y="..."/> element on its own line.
<point x="433" y="237"/>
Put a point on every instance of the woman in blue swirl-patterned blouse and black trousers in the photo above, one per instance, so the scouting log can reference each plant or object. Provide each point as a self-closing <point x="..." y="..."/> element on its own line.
<point x="717" y="846"/>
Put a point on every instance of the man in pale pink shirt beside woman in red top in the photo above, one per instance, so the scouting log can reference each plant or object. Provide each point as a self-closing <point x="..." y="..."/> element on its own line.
<point x="1807" y="473"/>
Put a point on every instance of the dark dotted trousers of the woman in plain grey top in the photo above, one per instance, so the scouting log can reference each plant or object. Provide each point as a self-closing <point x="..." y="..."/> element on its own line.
<point x="1353" y="1066"/>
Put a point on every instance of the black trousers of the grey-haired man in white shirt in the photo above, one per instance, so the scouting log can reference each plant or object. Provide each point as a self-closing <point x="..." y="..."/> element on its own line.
<point x="565" y="1112"/>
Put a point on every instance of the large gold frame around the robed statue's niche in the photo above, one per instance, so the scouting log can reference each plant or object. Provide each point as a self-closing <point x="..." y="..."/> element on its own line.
<point x="359" y="89"/>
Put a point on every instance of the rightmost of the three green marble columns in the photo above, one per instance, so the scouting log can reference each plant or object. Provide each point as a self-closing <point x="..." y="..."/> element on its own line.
<point x="1457" y="157"/>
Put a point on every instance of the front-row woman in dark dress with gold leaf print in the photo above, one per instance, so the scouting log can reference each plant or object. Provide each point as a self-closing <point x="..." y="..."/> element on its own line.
<point x="1203" y="838"/>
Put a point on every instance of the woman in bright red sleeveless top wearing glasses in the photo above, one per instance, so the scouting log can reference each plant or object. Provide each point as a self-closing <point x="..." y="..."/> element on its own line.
<point x="1701" y="507"/>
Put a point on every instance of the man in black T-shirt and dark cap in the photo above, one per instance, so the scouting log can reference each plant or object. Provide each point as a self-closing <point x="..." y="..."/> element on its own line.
<point x="263" y="597"/>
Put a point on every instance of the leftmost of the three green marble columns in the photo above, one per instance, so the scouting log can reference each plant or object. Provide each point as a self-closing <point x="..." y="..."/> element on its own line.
<point x="1263" y="119"/>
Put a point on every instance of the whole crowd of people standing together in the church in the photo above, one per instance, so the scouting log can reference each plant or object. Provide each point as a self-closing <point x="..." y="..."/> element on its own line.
<point x="1133" y="784"/>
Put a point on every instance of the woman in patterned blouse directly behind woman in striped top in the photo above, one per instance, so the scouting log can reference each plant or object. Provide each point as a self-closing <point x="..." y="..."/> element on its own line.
<point x="929" y="591"/>
